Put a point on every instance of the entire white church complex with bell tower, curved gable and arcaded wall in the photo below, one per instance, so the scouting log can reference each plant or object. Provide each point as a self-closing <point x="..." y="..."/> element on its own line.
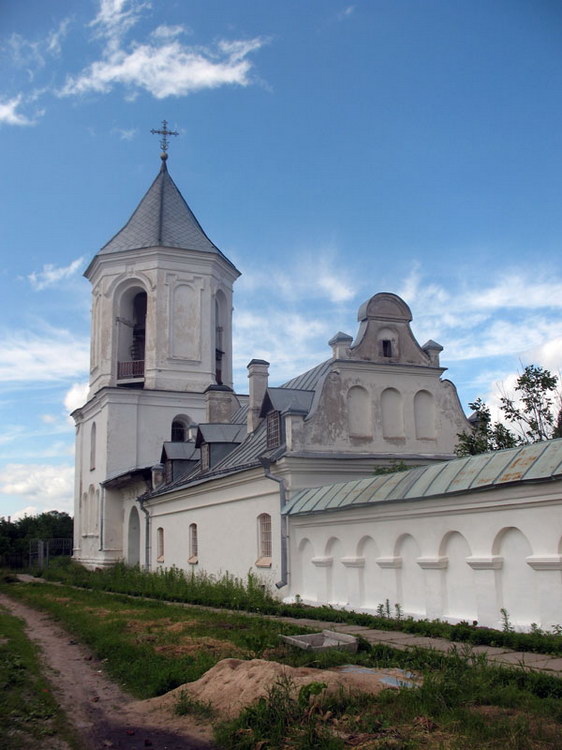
<point x="173" y="468"/>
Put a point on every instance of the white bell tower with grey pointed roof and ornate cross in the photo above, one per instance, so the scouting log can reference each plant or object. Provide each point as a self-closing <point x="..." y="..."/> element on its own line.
<point x="161" y="334"/>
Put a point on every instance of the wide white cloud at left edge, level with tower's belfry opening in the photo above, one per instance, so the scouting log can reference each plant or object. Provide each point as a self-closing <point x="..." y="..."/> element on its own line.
<point x="53" y="355"/>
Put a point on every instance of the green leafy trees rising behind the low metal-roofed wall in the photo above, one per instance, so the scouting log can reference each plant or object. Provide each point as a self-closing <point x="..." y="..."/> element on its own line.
<point x="534" y="414"/>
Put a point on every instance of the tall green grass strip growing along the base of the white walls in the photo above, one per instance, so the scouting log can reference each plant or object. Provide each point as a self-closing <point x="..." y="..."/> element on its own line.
<point x="249" y="595"/>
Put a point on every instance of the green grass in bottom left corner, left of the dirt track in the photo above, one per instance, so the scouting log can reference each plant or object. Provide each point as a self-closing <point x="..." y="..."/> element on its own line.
<point x="29" y="714"/>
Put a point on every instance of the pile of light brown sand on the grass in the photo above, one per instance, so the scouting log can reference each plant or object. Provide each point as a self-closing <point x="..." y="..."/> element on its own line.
<point x="233" y="684"/>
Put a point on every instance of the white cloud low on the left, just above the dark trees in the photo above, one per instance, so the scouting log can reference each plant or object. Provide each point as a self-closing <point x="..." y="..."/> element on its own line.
<point x="41" y="487"/>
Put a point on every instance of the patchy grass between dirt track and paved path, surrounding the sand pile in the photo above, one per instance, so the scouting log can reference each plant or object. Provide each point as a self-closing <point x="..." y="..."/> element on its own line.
<point x="464" y="702"/>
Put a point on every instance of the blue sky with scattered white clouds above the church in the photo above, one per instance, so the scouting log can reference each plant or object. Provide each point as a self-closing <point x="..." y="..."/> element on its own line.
<point x="331" y="150"/>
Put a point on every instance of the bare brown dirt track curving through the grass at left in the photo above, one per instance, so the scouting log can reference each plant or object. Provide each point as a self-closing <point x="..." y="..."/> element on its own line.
<point x="103" y="715"/>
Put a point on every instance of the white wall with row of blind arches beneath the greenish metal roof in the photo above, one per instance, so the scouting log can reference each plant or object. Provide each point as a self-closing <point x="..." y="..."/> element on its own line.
<point x="455" y="558"/>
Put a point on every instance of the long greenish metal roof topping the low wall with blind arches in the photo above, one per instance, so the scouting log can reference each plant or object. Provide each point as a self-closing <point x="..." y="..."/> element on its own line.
<point x="540" y="462"/>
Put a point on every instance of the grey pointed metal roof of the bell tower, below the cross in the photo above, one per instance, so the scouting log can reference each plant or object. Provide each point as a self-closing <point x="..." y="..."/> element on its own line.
<point x="162" y="219"/>
